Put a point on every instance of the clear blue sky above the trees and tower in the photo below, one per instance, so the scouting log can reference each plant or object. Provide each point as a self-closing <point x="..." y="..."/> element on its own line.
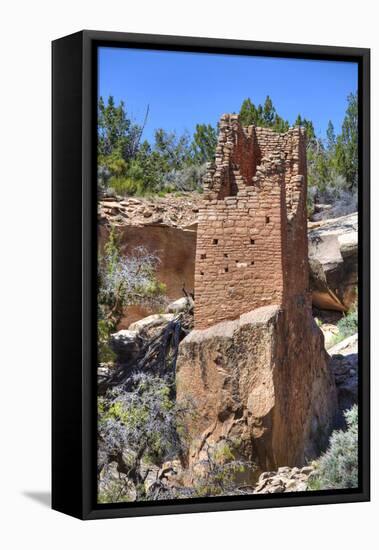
<point x="183" y="89"/>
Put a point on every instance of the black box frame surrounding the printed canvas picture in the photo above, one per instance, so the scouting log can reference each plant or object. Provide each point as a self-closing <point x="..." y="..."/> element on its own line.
<point x="74" y="208"/>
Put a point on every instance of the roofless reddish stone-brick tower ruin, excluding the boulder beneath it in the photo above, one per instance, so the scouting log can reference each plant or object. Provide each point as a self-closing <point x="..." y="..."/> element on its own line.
<point x="251" y="240"/>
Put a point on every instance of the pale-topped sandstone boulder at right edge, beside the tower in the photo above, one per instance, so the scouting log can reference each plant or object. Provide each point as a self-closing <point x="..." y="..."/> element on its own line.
<point x="333" y="261"/>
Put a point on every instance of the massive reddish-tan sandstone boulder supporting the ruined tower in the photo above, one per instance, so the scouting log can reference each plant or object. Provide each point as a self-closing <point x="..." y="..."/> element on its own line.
<point x="262" y="380"/>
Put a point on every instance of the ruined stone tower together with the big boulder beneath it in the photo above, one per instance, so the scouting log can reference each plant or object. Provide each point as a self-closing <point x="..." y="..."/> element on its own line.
<point x="255" y="369"/>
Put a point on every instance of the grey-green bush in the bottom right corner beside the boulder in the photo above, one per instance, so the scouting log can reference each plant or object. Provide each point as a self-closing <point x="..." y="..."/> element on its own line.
<point x="338" y="467"/>
